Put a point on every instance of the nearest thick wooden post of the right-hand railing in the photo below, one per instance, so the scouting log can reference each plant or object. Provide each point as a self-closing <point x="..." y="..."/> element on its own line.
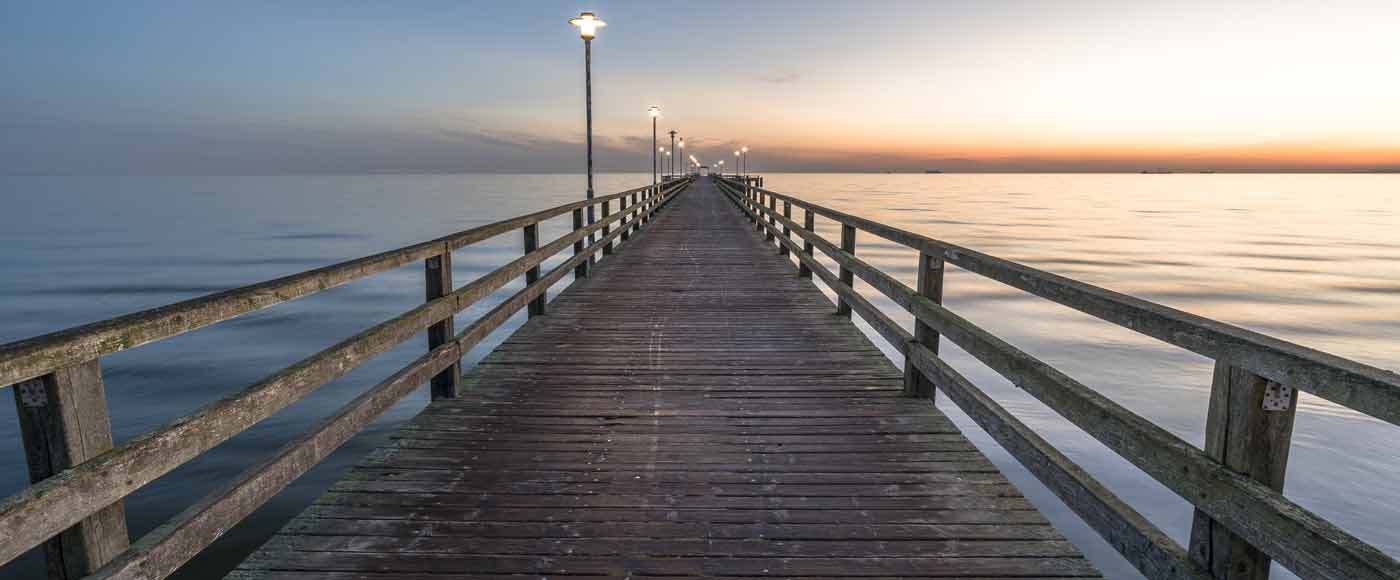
<point x="1249" y="429"/>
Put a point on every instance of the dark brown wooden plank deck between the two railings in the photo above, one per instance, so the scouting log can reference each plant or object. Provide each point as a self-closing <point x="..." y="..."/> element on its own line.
<point x="692" y="410"/>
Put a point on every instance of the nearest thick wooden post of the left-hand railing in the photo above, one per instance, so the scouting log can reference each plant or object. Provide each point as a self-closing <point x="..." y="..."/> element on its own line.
<point x="64" y="422"/>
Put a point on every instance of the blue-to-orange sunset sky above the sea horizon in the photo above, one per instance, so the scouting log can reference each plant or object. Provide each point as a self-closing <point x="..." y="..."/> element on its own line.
<point x="355" y="86"/>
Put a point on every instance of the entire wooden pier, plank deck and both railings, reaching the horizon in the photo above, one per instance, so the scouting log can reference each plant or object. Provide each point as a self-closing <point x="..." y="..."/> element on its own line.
<point x="691" y="406"/>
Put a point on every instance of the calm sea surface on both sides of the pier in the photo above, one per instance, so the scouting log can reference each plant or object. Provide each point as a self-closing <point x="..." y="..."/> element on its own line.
<point x="1308" y="258"/>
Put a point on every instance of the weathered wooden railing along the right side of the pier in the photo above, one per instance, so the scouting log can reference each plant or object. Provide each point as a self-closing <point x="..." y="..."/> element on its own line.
<point x="1242" y="519"/>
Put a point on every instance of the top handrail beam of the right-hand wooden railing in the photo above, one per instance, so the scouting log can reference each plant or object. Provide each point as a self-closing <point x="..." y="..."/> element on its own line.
<point x="1360" y="387"/>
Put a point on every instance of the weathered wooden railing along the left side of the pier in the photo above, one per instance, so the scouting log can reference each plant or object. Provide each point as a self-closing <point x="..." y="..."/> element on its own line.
<point x="75" y="505"/>
